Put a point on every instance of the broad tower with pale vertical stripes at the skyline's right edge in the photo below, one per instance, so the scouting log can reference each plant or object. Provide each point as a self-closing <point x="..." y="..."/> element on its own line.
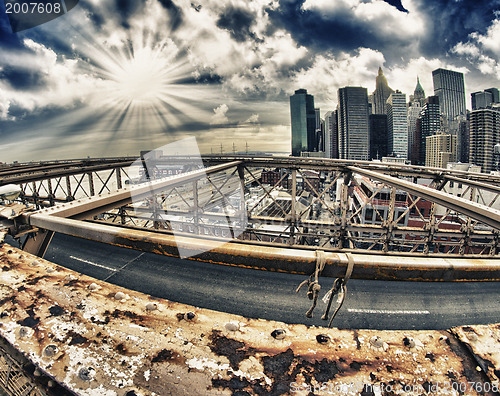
<point x="484" y="134"/>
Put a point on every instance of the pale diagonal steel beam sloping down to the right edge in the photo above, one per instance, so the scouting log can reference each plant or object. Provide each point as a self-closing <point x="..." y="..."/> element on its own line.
<point x="474" y="210"/>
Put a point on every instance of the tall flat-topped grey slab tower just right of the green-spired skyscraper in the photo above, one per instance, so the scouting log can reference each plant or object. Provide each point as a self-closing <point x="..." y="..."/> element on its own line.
<point x="449" y="86"/>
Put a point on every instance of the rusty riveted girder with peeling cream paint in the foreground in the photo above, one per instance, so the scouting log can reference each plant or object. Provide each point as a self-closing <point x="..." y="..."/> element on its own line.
<point x="99" y="339"/>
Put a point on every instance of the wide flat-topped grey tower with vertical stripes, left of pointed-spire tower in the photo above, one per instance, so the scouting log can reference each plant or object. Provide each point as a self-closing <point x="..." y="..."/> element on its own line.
<point x="354" y="139"/>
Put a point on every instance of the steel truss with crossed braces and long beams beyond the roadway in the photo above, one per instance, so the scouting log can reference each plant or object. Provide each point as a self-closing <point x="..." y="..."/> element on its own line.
<point x="402" y="218"/>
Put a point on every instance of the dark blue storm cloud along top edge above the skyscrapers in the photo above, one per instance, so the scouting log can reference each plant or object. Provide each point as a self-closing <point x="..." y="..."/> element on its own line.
<point x="446" y="23"/>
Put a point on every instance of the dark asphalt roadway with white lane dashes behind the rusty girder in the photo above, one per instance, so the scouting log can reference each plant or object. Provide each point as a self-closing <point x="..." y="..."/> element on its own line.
<point x="260" y="294"/>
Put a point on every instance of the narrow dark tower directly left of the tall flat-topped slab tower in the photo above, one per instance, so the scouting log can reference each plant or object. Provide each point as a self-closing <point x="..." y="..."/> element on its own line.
<point x="428" y="124"/>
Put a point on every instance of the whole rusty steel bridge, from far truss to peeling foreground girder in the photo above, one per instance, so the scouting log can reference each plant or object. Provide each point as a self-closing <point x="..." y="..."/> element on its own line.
<point x="314" y="219"/>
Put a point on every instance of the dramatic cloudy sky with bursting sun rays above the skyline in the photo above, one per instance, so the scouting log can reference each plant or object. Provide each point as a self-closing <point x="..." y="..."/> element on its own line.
<point x="114" y="77"/>
